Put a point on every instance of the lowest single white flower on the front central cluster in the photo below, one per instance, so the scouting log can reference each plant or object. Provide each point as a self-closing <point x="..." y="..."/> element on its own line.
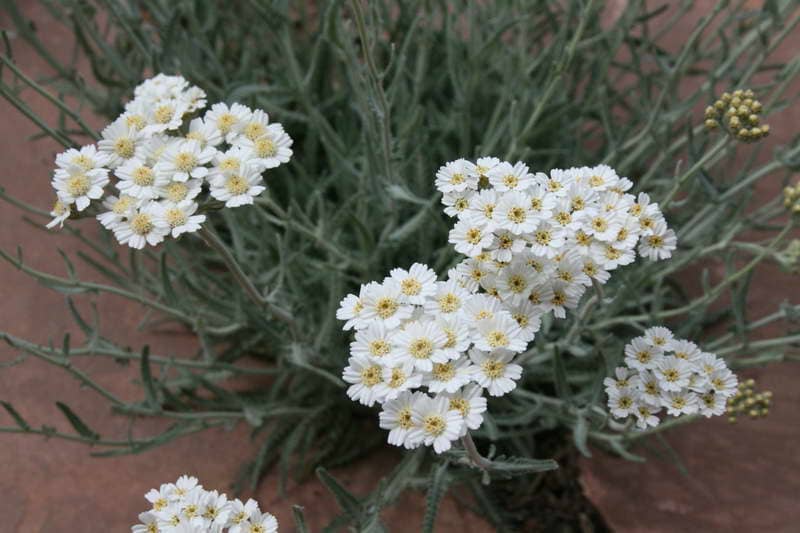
<point x="434" y="423"/>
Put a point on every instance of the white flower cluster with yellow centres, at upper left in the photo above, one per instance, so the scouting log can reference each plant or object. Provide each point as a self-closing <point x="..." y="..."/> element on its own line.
<point x="164" y="161"/>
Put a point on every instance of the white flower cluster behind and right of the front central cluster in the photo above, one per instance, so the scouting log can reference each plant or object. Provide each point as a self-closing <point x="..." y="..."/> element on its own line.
<point x="536" y="240"/>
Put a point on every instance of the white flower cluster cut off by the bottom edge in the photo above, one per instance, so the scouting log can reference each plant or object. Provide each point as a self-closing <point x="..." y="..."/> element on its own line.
<point x="186" y="507"/>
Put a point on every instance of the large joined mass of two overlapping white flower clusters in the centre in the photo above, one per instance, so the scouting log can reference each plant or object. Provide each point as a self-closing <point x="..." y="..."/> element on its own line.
<point x="428" y="350"/>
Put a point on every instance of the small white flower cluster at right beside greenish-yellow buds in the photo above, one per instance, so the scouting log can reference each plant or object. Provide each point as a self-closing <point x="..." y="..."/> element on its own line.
<point x="662" y="372"/>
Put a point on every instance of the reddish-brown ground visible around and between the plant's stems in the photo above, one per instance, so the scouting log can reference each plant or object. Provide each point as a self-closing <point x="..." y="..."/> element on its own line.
<point x="740" y="478"/>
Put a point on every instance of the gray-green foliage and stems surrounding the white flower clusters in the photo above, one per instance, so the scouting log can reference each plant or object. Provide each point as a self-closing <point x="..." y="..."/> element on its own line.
<point x="377" y="96"/>
